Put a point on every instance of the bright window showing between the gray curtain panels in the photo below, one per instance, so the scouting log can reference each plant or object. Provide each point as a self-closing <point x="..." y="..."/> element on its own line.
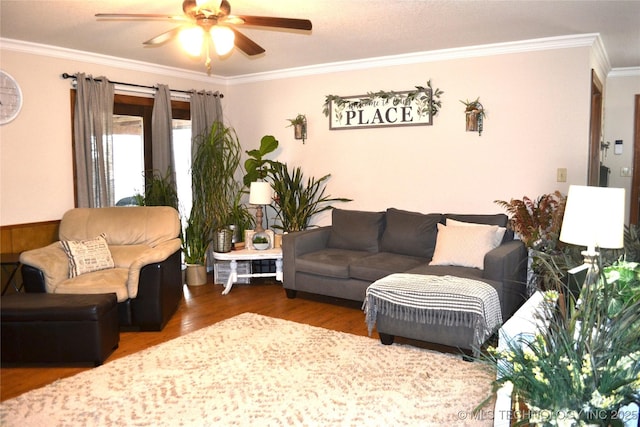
<point x="132" y="148"/>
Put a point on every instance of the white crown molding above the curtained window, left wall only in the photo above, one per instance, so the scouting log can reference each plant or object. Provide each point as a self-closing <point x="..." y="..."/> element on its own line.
<point x="111" y="61"/>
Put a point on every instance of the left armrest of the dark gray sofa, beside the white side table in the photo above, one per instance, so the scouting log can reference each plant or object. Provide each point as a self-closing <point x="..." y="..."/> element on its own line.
<point x="300" y="243"/>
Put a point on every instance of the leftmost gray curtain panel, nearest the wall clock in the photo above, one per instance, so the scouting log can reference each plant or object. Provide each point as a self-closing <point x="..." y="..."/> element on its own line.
<point x="93" y="133"/>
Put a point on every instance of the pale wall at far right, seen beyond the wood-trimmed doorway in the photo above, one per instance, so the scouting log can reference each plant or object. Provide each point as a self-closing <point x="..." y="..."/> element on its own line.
<point x="618" y="124"/>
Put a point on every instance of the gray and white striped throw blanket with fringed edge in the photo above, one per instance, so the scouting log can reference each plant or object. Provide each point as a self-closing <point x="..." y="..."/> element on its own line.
<point x="445" y="300"/>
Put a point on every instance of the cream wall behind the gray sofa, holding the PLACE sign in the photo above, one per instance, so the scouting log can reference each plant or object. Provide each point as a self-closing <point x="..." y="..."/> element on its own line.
<point x="538" y="120"/>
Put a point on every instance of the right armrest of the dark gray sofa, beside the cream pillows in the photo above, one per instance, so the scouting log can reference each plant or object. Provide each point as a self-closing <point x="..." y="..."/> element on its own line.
<point x="507" y="264"/>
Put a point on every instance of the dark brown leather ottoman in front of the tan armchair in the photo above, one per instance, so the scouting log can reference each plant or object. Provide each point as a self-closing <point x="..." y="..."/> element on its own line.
<point x="58" y="328"/>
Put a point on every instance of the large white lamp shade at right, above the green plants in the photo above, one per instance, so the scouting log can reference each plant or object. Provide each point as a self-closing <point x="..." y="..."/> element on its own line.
<point x="594" y="217"/>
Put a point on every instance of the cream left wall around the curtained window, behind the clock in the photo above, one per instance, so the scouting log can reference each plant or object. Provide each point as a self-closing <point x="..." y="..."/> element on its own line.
<point x="36" y="169"/>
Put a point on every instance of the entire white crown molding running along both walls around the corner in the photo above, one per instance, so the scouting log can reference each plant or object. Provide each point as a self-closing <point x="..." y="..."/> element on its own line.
<point x="548" y="43"/>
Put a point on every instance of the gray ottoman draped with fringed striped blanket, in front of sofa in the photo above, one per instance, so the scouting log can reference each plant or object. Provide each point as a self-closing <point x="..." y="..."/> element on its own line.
<point x="446" y="310"/>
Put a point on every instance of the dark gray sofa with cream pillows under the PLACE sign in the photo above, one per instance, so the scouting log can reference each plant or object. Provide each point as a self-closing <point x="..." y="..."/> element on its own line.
<point x="360" y="247"/>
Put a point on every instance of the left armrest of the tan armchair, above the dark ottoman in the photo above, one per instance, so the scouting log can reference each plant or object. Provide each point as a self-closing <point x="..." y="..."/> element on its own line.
<point x="51" y="260"/>
